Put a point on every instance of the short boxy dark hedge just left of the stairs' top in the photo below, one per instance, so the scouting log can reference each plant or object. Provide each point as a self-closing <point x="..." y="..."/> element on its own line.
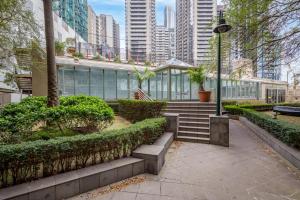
<point x="137" y="110"/>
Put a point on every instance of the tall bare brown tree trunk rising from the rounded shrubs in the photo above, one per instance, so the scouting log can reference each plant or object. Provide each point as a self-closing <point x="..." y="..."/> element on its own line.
<point x="51" y="65"/>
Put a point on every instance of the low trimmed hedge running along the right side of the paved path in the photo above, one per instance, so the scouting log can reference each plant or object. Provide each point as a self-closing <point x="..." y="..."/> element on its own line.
<point x="286" y="132"/>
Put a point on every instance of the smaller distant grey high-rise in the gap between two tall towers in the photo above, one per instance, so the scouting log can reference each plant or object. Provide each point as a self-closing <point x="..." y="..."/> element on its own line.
<point x="162" y="50"/>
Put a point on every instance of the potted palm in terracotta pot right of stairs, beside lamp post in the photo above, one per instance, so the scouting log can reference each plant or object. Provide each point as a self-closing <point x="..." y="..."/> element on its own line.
<point x="197" y="75"/>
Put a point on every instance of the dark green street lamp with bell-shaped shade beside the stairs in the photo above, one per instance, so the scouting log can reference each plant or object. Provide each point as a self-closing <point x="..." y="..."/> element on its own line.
<point x="221" y="28"/>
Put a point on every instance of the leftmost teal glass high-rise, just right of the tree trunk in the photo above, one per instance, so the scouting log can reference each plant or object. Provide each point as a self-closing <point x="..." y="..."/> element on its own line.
<point x="75" y="14"/>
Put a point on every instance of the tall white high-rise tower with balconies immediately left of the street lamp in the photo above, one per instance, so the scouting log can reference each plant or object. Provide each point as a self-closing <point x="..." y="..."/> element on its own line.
<point x="194" y="29"/>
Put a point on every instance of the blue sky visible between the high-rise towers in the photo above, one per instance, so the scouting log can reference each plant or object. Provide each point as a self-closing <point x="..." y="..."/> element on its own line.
<point x="116" y="8"/>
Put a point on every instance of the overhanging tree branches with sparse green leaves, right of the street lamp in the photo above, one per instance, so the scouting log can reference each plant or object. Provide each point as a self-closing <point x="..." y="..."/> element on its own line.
<point x="265" y="30"/>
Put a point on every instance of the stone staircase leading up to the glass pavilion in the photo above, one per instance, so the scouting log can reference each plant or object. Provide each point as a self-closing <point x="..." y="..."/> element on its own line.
<point x="193" y="120"/>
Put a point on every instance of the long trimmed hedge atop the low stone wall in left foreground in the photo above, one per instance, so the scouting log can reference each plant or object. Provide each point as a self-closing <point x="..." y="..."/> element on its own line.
<point x="31" y="160"/>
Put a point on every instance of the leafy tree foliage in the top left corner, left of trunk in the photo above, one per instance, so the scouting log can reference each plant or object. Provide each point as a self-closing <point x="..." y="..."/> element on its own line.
<point x="17" y="29"/>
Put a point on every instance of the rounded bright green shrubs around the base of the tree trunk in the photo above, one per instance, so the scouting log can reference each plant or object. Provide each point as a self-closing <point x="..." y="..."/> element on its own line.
<point x="81" y="113"/>
